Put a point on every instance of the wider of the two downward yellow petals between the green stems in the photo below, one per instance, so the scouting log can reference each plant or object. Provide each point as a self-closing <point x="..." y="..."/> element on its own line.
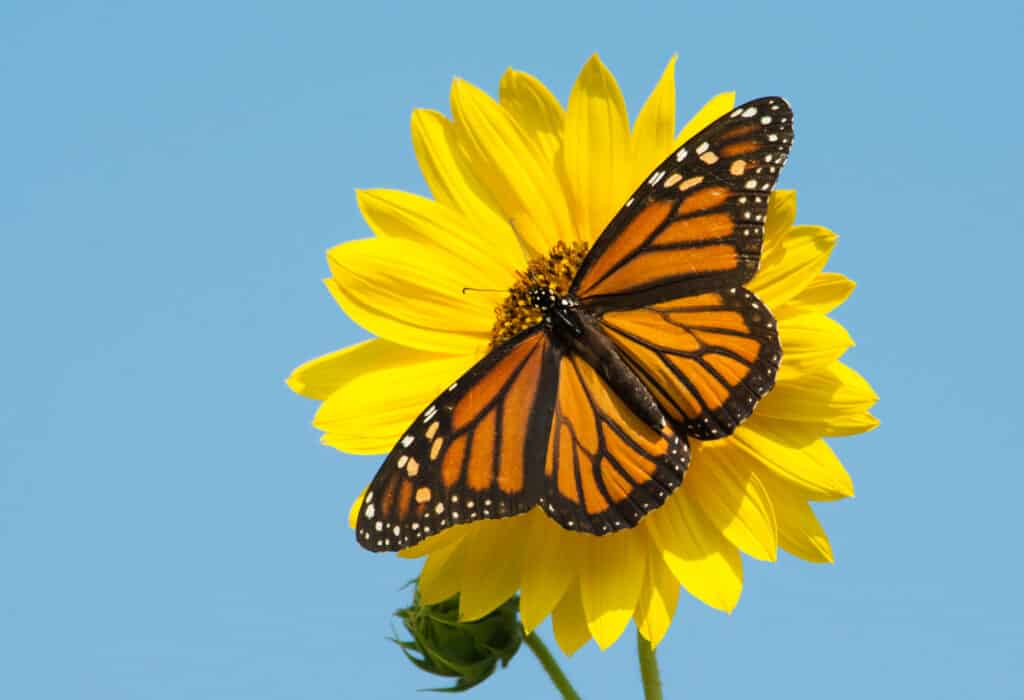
<point x="611" y="583"/>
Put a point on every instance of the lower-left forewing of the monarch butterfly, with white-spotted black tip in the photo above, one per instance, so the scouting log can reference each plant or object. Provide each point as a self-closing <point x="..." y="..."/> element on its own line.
<point x="470" y="455"/>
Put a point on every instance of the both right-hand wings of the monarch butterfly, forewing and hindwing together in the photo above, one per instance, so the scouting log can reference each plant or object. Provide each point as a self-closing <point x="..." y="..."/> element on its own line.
<point x="666" y="278"/>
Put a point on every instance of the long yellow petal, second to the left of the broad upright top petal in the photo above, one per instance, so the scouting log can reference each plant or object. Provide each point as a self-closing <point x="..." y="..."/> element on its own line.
<point x="506" y="161"/>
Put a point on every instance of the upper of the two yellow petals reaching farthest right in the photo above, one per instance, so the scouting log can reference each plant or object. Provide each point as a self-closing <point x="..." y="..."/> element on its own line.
<point x="820" y="397"/>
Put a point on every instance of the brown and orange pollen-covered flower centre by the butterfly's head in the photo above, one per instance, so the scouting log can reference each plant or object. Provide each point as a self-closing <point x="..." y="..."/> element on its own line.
<point x="554" y="272"/>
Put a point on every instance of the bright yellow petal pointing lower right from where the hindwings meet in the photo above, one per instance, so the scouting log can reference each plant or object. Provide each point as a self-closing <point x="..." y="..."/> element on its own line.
<point x="734" y="500"/>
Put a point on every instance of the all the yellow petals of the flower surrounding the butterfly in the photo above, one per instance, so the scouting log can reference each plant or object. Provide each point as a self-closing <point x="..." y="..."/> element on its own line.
<point x="510" y="180"/>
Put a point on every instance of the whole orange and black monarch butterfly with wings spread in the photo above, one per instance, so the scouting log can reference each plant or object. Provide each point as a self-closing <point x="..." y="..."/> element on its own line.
<point x="587" y="414"/>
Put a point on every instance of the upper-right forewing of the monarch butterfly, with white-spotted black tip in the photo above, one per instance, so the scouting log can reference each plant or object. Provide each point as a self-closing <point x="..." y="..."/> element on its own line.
<point x="697" y="224"/>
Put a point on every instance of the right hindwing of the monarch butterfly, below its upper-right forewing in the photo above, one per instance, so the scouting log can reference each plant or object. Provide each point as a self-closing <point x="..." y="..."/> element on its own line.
<point x="707" y="360"/>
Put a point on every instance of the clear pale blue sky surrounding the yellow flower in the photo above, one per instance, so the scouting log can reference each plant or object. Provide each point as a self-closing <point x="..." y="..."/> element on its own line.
<point x="172" y="176"/>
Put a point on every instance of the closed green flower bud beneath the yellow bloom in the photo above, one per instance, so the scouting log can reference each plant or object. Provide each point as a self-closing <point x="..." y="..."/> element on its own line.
<point x="466" y="651"/>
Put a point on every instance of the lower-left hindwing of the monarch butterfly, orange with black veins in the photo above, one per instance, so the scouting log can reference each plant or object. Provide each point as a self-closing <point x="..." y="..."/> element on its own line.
<point x="606" y="468"/>
